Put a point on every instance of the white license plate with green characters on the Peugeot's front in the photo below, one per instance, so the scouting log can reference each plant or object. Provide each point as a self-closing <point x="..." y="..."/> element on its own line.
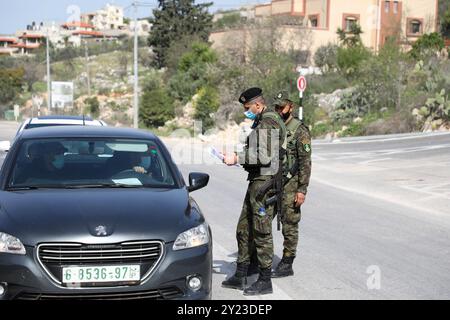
<point x="101" y="274"/>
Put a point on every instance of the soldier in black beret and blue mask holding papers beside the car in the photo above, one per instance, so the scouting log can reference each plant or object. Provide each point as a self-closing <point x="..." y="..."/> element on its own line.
<point x="261" y="159"/>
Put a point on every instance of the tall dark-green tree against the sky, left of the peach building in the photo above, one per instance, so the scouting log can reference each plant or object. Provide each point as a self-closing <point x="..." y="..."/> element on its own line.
<point x="174" y="19"/>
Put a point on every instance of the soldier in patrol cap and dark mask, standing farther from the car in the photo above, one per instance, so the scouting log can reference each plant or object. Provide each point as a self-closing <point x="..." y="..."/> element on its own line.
<point x="298" y="149"/>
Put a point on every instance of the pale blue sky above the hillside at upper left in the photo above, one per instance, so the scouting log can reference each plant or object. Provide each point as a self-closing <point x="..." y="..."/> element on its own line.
<point x="17" y="14"/>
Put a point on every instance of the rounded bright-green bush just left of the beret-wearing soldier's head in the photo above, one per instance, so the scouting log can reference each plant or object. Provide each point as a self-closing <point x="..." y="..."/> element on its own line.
<point x="206" y="105"/>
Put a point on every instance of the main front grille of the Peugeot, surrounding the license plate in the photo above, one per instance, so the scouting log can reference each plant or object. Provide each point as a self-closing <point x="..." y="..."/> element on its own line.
<point x="54" y="257"/>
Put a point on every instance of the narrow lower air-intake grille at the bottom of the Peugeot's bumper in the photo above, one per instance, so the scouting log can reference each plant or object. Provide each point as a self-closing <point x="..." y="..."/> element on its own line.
<point x="159" y="294"/>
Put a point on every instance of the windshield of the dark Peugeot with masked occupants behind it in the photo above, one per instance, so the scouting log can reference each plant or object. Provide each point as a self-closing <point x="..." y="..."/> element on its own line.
<point x="90" y="163"/>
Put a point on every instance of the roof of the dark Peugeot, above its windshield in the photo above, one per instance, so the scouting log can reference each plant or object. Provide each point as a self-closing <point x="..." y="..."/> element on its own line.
<point x="86" y="132"/>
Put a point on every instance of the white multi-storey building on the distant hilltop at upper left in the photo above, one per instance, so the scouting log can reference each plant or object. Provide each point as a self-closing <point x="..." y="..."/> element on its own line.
<point x="109" y="18"/>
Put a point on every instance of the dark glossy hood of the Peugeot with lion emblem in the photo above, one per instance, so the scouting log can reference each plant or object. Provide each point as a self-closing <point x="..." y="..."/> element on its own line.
<point x="80" y="215"/>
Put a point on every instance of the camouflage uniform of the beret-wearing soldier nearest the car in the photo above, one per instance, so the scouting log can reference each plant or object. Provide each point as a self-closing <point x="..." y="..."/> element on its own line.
<point x="254" y="231"/>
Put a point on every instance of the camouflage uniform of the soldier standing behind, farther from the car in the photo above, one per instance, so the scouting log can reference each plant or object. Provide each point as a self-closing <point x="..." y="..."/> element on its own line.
<point x="298" y="147"/>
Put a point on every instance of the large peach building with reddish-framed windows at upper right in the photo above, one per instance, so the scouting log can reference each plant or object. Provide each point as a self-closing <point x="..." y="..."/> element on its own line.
<point x="407" y="20"/>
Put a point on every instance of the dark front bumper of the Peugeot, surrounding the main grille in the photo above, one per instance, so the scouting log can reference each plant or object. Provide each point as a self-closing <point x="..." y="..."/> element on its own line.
<point x="24" y="278"/>
